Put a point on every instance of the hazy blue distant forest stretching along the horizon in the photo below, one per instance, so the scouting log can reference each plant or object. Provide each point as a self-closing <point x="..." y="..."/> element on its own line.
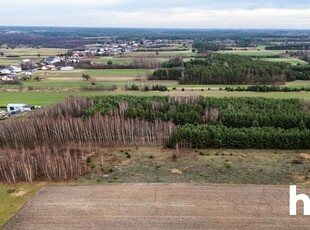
<point x="69" y="37"/>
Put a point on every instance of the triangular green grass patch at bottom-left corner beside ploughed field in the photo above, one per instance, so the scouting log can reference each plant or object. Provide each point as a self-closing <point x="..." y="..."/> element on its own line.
<point x="13" y="197"/>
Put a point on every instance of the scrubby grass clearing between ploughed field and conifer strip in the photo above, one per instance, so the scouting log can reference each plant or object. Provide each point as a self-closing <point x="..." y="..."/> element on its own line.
<point x="158" y="165"/>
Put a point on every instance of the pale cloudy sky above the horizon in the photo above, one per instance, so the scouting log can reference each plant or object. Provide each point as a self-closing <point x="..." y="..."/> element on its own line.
<point x="206" y="14"/>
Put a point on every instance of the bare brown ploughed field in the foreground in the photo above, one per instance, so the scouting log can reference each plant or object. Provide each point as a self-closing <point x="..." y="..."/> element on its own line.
<point x="167" y="206"/>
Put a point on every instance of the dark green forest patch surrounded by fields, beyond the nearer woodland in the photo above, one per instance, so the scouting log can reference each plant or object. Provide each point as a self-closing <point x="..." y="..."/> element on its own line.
<point x="230" y="69"/>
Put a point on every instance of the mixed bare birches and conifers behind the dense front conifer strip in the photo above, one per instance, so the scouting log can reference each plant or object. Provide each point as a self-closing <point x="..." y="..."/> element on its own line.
<point x="112" y="119"/>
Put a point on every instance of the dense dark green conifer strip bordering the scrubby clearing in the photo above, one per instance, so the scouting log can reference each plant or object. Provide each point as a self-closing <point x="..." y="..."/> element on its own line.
<point x="209" y="136"/>
